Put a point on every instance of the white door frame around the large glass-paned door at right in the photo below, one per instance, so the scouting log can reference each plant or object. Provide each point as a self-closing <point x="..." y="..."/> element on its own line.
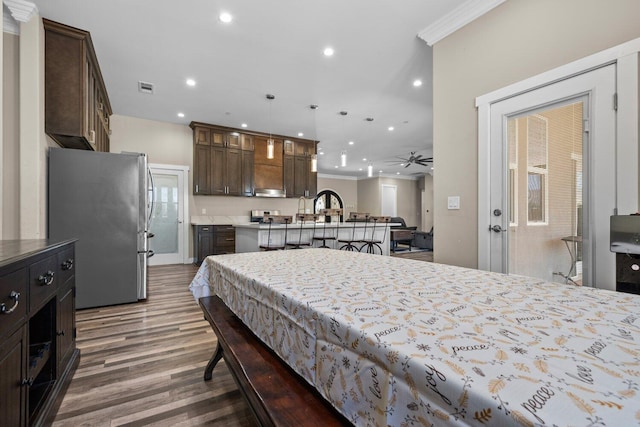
<point x="626" y="57"/>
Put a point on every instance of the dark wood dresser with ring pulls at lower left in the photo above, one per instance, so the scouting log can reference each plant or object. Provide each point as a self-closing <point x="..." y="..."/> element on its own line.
<point x="38" y="353"/>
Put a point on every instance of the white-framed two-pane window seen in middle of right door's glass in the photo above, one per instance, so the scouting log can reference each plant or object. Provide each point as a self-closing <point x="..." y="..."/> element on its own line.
<point x="537" y="145"/>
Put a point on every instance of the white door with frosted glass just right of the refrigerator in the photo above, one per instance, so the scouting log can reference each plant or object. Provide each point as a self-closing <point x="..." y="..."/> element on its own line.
<point x="167" y="223"/>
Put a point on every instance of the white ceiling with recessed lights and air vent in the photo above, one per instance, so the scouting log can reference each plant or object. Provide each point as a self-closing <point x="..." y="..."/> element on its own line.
<point x="275" y="47"/>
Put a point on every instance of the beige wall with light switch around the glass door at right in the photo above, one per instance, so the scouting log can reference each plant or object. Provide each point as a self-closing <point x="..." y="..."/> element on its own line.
<point x="516" y="40"/>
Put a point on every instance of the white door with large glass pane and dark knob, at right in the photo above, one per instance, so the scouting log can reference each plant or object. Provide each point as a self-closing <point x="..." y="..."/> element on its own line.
<point x="552" y="180"/>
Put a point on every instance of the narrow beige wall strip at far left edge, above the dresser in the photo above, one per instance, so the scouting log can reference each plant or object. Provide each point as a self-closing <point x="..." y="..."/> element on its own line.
<point x="10" y="138"/>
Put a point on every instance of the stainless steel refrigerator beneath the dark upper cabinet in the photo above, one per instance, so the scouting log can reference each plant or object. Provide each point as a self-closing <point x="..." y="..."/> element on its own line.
<point x="102" y="200"/>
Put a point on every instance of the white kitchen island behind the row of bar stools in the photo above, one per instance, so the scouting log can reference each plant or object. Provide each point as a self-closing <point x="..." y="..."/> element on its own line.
<point x="249" y="237"/>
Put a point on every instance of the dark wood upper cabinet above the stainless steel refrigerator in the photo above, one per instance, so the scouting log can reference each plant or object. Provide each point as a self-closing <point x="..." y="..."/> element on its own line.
<point x="77" y="108"/>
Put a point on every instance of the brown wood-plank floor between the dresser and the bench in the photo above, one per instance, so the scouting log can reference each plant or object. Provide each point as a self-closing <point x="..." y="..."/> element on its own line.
<point x="142" y="364"/>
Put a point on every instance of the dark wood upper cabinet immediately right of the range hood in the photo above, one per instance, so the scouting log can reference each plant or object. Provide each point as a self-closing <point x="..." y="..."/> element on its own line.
<point x="299" y="181"/>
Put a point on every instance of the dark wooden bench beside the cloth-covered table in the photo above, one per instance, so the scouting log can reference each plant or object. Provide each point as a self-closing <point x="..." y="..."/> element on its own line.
<point x="276" y="394"/>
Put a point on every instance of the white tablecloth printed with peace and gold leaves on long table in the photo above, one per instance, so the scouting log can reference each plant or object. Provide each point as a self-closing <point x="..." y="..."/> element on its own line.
<point x="391" y="341"/>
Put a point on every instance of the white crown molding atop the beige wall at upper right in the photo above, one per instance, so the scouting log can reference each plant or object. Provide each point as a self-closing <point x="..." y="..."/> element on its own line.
<point x="456" y="19"/>
